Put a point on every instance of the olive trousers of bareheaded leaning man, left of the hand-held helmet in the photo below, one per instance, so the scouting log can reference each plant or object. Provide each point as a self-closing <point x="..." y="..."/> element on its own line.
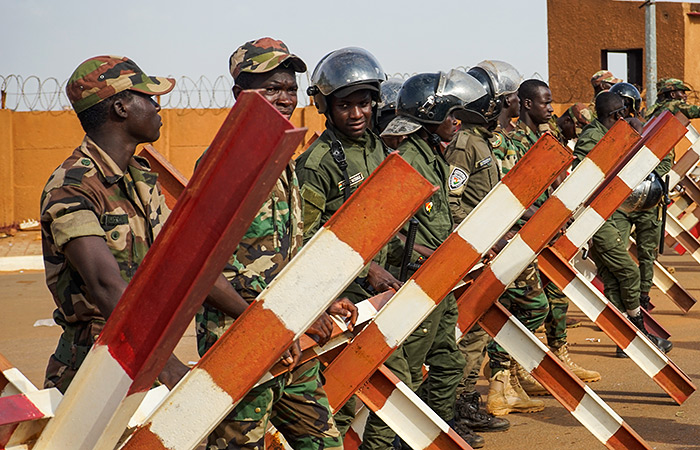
<point x="615" y="267"/>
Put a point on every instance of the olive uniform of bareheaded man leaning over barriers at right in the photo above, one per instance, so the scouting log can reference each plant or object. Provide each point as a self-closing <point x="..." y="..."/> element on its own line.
<point x="614" y="264"/>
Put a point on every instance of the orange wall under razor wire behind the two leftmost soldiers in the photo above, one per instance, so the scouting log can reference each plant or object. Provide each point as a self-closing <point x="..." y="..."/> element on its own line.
<point x="33" y="144"/>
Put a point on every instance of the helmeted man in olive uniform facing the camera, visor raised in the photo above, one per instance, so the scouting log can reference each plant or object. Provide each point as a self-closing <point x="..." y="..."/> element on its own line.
<point x="345" y="88"/>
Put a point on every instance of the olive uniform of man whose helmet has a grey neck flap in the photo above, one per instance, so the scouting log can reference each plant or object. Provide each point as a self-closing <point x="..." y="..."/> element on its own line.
<point x="433" y="342"/>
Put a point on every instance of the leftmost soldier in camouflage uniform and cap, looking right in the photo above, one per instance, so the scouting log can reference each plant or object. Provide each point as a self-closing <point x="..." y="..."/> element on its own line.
<point x="102" y="208"/>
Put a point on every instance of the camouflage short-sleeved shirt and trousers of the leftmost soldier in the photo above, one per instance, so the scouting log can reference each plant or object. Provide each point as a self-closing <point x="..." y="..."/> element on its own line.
<point x="88" y="195"/>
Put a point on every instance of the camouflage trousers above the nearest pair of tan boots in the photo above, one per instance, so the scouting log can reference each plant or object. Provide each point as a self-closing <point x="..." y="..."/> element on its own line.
<point x="526" y="300"/>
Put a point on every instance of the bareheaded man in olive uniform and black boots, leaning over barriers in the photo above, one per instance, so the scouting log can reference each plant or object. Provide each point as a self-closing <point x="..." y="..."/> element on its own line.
<point x="614" y="265"/>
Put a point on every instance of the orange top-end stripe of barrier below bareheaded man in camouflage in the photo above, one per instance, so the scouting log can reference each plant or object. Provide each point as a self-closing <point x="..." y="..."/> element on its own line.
<point x="546" y="159"/>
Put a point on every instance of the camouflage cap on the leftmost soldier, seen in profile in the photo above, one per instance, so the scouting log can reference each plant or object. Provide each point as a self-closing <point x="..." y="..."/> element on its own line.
<point x="101" y="77"/>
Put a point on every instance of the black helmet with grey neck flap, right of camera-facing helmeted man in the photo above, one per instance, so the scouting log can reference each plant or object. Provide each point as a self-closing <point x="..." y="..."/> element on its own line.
<point x="428" y="98"/>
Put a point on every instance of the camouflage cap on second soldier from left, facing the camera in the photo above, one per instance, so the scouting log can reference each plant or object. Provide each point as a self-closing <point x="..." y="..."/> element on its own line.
<point x="262" y="55"/>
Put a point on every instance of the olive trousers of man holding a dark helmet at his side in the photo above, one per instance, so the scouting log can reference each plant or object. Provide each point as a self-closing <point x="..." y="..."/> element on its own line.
<point x="647" y="234"/>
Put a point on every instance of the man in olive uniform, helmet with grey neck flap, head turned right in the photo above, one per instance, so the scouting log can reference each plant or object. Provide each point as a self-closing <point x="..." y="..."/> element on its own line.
<point x="426" y="108"/>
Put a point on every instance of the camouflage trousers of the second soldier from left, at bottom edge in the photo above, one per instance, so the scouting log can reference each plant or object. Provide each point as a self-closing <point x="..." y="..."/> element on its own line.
<point x="295" y="403"/>
